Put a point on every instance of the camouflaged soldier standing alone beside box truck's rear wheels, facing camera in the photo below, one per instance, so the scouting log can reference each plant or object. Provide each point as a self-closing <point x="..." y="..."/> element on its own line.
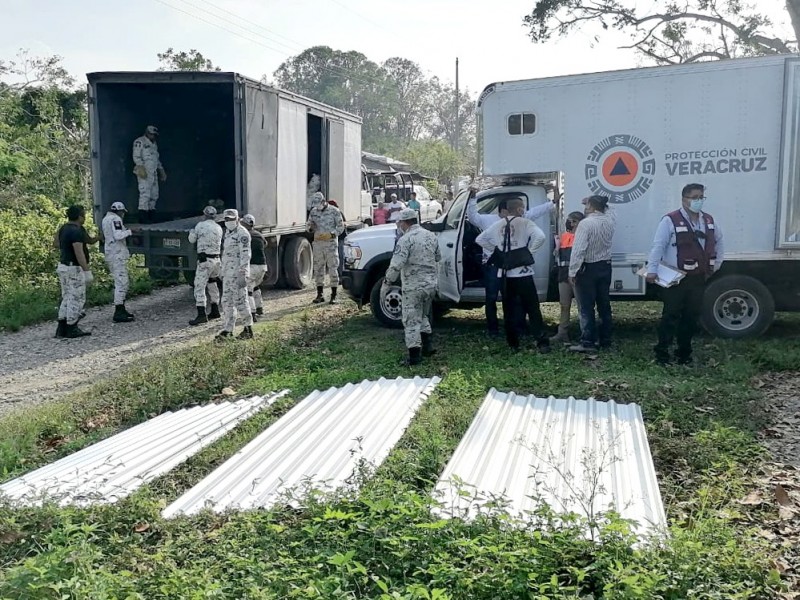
<point x="326" y="223"/>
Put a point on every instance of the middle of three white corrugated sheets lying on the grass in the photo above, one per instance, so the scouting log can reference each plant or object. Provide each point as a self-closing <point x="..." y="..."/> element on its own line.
<point x="316" y="445"/>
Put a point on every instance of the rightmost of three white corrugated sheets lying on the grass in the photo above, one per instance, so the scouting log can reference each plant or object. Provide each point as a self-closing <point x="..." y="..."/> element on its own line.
<point x="580" y="456"/>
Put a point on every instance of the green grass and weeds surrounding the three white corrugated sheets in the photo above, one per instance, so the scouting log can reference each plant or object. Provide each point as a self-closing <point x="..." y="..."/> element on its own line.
<point x="383" y="542"/>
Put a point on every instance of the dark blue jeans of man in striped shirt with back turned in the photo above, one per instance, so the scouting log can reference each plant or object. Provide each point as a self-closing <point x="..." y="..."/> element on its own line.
<point x="592" y="288"/>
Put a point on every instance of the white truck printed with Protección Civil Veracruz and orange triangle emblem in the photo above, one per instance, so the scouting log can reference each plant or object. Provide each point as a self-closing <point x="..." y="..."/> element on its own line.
<point x="637" y="136"/>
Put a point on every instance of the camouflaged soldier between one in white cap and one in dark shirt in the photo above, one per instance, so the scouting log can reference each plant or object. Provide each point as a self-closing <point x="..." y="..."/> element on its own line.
<point x="235" y="270"/>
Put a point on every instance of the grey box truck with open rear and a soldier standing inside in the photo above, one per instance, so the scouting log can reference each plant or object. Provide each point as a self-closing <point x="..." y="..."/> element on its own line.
<point x="227" y="140"/>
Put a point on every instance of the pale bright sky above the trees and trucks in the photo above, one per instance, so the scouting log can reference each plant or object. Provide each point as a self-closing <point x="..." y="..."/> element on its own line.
<point x="253" y="37"/>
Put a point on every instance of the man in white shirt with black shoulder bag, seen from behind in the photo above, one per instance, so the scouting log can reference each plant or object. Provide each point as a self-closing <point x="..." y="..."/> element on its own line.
<point x="509" y="235"/>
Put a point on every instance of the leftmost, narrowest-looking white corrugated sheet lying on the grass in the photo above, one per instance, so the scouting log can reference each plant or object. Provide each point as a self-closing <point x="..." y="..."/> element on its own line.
<point x="112" y="469"/>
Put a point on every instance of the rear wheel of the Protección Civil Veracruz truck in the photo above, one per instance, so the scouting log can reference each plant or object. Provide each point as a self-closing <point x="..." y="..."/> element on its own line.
<point x="737" y="306"/>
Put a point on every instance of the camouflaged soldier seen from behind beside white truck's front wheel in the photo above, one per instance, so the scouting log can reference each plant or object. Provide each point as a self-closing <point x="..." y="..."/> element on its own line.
<point x="414" y="262"/>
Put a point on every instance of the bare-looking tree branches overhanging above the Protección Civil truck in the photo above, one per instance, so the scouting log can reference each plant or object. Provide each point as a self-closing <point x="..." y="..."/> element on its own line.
<point x="668" y="31"/>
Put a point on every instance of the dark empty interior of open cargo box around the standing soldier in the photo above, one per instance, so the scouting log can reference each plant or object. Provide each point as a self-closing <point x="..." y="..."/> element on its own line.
<point x="196" y="144"/>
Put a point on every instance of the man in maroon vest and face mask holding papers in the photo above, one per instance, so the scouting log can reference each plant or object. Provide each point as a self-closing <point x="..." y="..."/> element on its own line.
<point x="686" y="239"/>
